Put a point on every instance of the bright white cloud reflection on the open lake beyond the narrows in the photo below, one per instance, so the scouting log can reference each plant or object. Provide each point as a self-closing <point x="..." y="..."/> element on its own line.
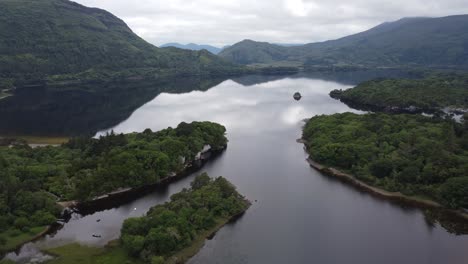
<point x="241" y="108"/>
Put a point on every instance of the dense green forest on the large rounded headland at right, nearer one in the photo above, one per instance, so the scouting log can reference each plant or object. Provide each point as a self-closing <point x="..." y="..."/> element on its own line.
<point x="413" y="154"/>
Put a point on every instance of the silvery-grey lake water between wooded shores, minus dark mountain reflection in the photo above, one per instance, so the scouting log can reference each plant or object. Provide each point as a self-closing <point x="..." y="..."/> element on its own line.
<point x="300" y="215"/>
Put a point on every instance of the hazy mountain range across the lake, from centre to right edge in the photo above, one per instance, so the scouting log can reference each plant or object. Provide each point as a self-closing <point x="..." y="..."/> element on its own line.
<point x="435" y="42"/>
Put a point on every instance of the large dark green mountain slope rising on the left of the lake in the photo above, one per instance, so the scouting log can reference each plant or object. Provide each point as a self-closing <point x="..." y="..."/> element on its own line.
<point x="56" y="40"/>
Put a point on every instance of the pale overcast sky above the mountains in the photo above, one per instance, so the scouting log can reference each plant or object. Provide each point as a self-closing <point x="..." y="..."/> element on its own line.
<point x="222" y="22"/>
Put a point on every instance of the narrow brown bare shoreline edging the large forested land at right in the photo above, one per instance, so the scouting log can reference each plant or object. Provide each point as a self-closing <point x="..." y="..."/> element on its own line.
<point x="392" y="196"/>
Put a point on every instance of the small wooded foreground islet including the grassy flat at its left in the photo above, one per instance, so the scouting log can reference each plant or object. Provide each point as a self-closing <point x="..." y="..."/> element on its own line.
<point x="169" y="233"/>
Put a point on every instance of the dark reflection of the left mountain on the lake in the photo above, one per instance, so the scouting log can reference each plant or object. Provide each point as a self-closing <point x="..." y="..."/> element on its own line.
<point x="84" y="110"/>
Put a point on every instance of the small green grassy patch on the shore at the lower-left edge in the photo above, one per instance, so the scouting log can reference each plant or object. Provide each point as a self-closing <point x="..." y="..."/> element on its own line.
<point x="14" y="238"/>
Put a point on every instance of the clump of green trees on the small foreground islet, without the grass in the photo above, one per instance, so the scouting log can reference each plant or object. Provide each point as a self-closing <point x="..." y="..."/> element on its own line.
<point x="169" y="228"/>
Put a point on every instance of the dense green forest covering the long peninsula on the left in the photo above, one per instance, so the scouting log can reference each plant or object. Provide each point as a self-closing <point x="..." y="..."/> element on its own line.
<point x="32" y="180"/>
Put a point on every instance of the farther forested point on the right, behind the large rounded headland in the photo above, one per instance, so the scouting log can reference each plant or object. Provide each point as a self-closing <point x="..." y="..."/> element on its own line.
<point x="432" y="93"/>
